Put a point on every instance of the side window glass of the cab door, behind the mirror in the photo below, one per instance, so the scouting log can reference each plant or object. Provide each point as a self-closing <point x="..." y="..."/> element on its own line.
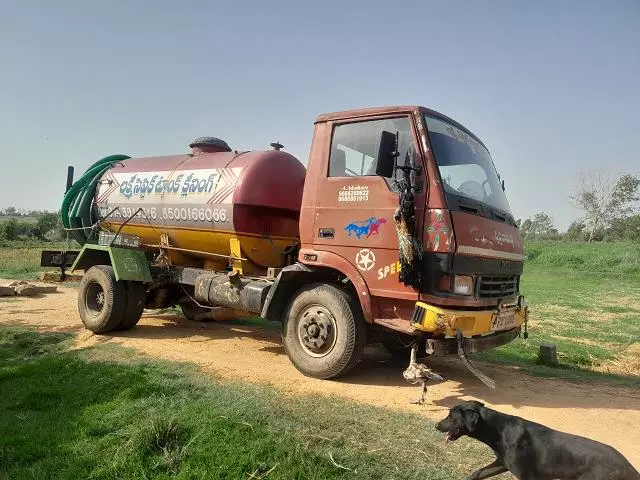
<point x="354" y="146"/>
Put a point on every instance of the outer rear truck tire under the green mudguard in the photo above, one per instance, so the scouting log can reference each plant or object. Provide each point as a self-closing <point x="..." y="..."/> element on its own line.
<point x="101" y="300"/>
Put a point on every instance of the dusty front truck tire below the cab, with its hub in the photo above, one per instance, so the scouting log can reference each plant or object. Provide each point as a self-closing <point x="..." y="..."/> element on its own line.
<point x="323" y="332"/>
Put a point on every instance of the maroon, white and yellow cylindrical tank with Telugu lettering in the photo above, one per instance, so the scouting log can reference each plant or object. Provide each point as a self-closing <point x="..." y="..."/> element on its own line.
<point x="207" y="201"/>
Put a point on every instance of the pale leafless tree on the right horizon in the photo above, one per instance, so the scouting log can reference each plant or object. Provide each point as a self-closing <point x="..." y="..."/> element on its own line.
<point x="605" y="198"/>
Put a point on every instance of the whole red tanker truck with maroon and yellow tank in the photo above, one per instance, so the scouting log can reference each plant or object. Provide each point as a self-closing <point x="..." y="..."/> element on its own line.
<point x="397" y="232"/>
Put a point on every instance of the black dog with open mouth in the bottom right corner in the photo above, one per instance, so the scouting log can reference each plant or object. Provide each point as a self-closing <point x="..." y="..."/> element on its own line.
<point x="531" y="451"/>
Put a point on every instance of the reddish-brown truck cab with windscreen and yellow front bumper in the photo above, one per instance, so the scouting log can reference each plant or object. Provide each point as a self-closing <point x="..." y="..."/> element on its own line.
<point x="465" y="239"/>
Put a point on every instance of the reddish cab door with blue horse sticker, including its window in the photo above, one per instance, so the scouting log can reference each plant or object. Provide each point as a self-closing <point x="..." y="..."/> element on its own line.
<point x="355" y="207"/>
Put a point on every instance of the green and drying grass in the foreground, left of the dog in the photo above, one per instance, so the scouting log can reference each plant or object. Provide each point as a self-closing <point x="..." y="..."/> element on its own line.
<point x="106" y="413"/>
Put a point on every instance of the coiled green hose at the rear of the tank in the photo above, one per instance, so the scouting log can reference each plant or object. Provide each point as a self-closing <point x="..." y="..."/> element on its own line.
<point x="77" y="212"/>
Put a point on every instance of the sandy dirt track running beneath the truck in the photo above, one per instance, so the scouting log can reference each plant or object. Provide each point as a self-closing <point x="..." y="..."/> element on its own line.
<point x="605" y="413"/>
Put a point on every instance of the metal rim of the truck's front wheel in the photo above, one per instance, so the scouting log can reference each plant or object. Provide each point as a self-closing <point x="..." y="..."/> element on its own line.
<point x="316" y="331"/>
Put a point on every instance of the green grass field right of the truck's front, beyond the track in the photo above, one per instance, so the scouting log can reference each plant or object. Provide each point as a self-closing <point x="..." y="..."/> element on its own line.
<point x="585" y="298"/>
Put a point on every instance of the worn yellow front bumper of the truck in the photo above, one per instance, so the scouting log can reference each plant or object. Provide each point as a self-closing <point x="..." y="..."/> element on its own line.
<point x="429" y="318"/>
